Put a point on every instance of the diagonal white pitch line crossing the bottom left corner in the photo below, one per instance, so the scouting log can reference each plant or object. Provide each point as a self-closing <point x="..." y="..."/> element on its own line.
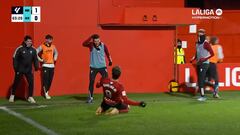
<point x="29" y="121"/>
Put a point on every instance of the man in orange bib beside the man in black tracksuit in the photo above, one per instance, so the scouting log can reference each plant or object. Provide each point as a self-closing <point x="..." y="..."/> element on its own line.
<point x="49" y="55"/>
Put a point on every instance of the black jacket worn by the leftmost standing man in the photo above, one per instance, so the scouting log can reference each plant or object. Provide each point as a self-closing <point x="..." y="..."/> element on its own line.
<point x="23" y="58"/>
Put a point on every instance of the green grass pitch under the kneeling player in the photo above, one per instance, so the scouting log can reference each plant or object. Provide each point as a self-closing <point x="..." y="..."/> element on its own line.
<point x="165" y="114"/>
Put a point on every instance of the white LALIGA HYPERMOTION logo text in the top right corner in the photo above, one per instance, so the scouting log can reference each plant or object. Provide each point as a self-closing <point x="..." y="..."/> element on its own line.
<point x="207" y="13"/>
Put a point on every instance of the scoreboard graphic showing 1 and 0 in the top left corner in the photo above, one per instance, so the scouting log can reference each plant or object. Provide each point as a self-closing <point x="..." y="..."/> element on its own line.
<point x="26" y="14"/>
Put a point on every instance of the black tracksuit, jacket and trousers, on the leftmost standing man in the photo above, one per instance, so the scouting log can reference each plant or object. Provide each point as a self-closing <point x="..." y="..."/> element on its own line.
<point x="23" y="59"/>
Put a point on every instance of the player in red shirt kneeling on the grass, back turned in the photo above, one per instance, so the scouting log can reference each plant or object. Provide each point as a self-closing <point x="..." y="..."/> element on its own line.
<point x="115" y="100"/>
